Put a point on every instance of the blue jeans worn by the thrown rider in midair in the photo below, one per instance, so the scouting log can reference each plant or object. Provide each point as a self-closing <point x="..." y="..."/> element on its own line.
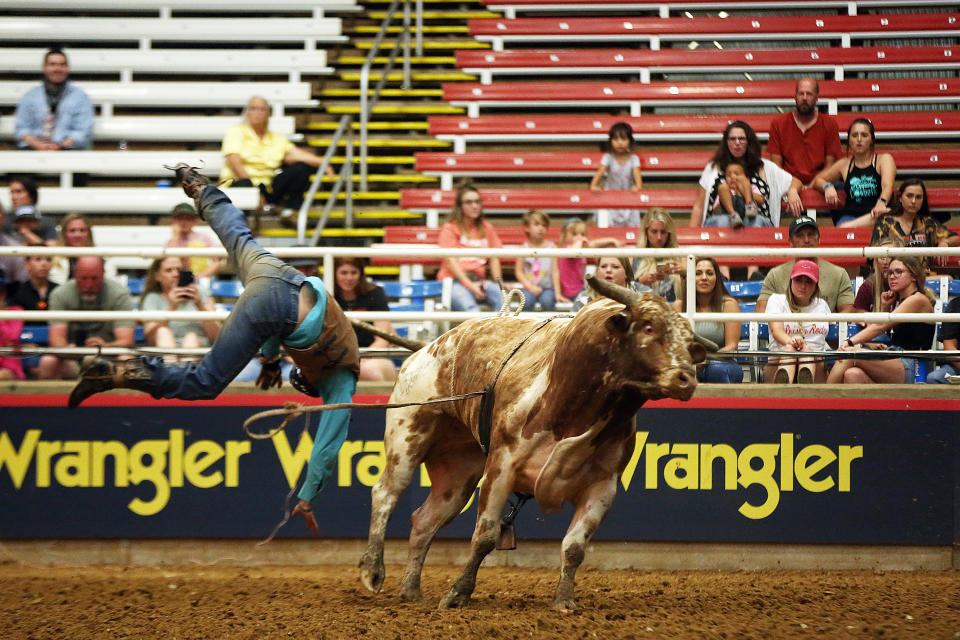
<point x="268" y="307"/>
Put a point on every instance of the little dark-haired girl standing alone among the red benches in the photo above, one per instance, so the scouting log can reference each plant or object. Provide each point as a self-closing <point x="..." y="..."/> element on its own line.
<point x="619" y="170"/>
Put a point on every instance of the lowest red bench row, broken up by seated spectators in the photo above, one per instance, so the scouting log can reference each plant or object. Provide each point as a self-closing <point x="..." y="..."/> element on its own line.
<point x="627" y="236"/>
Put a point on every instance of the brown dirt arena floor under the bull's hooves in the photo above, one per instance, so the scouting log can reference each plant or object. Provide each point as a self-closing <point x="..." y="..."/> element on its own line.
<point x="328" y="602"/>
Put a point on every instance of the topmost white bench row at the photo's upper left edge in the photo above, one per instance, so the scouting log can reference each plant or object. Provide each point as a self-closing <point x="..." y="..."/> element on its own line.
<point x="164" y="8"/>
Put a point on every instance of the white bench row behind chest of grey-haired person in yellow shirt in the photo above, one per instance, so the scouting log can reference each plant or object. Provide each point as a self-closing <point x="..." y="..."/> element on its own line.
<point x="167" y="128"/>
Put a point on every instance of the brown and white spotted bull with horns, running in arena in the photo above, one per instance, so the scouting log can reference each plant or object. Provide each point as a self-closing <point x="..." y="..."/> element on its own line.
<point x="562" y="426"/>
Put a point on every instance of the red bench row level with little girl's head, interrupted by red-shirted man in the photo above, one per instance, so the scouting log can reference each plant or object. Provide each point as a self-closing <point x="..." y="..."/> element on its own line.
<point x="669" y="127"/>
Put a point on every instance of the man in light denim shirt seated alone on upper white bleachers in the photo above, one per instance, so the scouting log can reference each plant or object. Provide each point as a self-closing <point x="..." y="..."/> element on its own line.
<point x="57" y="114"/>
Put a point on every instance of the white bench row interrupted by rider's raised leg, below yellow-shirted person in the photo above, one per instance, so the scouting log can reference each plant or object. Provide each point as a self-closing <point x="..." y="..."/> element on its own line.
<point x="125" y="200"/>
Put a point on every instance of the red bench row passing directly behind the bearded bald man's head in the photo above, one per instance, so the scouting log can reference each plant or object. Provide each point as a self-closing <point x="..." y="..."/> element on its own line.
<point x="743" y="94"/>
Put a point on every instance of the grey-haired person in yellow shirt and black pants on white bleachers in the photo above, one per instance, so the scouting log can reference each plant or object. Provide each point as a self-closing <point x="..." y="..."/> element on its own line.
<point x="257" y="157"/>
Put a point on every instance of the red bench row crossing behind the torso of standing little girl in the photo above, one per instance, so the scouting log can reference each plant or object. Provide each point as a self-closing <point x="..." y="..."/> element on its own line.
<point x="658" y="163"/>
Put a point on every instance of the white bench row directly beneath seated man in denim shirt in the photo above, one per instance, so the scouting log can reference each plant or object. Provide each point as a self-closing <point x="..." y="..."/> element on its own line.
<point x="112" y="163"/>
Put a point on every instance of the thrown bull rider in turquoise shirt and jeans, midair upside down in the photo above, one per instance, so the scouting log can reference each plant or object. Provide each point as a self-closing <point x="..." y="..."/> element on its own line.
<point x="278" y="306"/>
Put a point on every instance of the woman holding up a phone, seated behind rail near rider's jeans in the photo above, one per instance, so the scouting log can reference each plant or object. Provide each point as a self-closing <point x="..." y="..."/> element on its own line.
<point x="162" y="291"/>
